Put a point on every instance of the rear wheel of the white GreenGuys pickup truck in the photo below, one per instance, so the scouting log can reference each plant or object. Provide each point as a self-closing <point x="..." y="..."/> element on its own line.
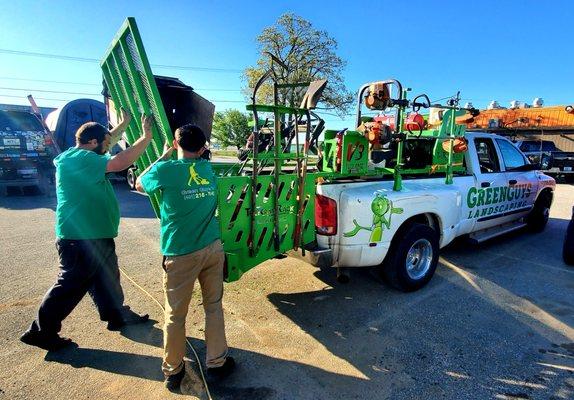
<point x="412" y="257"/>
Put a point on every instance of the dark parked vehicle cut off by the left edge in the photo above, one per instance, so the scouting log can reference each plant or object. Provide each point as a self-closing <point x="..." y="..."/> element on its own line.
<point x="26" y="152"/>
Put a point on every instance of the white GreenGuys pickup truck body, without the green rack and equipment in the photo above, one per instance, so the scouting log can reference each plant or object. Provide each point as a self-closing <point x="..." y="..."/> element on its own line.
<point x="366" y="223"/>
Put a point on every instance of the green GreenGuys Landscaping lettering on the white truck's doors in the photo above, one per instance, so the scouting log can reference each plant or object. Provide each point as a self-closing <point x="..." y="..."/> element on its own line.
<point x="492" y="201"/>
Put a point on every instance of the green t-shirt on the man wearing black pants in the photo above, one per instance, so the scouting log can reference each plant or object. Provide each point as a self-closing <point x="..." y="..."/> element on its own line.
<point x="87" y="205"/>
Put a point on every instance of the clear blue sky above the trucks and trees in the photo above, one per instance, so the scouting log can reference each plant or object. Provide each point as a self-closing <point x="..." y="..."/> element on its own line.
<point x="490" y="50"/>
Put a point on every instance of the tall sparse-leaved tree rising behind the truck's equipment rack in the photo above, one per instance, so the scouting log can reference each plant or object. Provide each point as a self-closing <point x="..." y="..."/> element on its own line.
<point x="309" y="55"/>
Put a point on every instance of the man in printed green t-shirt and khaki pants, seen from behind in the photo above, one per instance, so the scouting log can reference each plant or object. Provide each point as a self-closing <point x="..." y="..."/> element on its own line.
<point x="190" y="243"/>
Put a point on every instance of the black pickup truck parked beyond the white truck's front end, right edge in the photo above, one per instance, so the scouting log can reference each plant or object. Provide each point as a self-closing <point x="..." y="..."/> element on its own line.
<point x="544" y="152"/>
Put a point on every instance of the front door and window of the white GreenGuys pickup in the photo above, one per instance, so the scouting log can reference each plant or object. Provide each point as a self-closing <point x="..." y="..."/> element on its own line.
<point x="522" y="184"/>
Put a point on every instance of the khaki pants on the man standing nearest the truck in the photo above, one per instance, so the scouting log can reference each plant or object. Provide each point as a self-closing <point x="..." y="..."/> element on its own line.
<point x="206" y="265"/>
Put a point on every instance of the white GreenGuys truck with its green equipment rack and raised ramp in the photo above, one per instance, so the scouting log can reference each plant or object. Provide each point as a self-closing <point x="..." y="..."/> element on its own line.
<point x="389" y="193"/>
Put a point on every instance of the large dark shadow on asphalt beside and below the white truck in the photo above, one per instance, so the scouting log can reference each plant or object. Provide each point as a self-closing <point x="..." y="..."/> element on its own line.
<point x="491" y="333"/>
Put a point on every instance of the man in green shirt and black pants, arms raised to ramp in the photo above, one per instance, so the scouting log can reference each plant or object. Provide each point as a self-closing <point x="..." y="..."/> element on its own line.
<point x="87" y="220"/>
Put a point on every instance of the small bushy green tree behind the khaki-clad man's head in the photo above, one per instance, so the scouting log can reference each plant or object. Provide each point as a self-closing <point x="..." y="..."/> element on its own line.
<point x="231" y="128"/>
